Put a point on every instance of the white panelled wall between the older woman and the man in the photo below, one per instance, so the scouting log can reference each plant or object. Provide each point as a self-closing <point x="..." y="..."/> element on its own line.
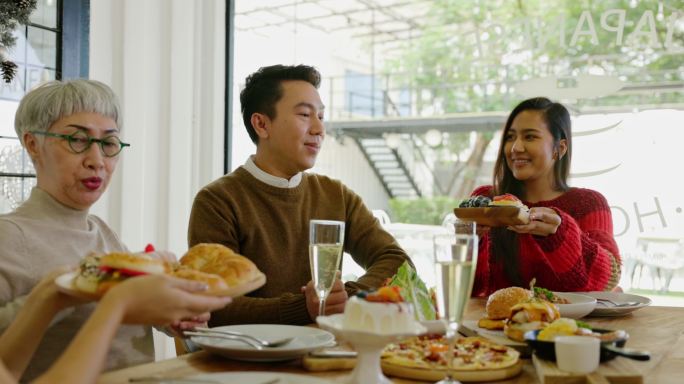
<point x="165" y="60"/>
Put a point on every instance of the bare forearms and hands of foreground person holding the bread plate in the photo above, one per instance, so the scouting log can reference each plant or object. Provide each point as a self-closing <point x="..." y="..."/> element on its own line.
<point x="152" y="299"/>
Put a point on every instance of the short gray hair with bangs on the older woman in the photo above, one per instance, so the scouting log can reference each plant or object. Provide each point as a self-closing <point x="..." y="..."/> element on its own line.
<point x="49" y="102"/>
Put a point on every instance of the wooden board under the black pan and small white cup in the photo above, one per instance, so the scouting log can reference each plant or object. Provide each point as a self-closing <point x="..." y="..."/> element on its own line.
<point x="616" y="371"/>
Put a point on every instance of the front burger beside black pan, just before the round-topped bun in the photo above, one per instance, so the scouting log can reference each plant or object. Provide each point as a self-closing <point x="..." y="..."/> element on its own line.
<point x="529" y="316"/>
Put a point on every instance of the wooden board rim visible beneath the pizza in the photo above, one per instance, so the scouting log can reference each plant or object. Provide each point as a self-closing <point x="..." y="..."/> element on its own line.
<point x="434" y="375"/>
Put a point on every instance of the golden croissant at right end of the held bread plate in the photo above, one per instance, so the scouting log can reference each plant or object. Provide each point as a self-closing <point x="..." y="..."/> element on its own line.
<point x="235" y="269"/>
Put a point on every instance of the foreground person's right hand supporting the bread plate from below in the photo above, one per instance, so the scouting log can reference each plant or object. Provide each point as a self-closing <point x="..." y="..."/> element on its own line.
<point x="163" y="300"/>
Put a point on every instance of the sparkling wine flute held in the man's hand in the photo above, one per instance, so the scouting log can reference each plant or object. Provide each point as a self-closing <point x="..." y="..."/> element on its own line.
<point x="326" y="238"/>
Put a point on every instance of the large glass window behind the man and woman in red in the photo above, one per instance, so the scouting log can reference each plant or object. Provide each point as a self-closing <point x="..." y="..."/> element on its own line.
<point x="417" y="92"/>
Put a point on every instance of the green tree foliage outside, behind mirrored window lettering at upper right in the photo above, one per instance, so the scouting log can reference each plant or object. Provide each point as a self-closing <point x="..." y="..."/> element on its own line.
<point x="471" y="52"/>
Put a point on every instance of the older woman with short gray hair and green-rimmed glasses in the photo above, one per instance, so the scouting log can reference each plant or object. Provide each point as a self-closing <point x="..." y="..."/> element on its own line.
<point x="71" y="130"/>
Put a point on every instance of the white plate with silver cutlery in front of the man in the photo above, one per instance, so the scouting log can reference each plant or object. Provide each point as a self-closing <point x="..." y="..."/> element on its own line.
<point x="305" y="339"/>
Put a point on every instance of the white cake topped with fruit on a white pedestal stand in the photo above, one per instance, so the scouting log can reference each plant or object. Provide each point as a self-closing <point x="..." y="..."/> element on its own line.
<point x="370" y="322"/>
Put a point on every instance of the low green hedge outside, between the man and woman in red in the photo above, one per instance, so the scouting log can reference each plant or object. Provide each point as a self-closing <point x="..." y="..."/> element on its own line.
<point x="425" y="210"/>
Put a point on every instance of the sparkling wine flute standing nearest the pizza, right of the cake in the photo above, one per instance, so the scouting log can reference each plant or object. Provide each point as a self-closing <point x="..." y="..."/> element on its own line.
<point x="455" y="257"/>
